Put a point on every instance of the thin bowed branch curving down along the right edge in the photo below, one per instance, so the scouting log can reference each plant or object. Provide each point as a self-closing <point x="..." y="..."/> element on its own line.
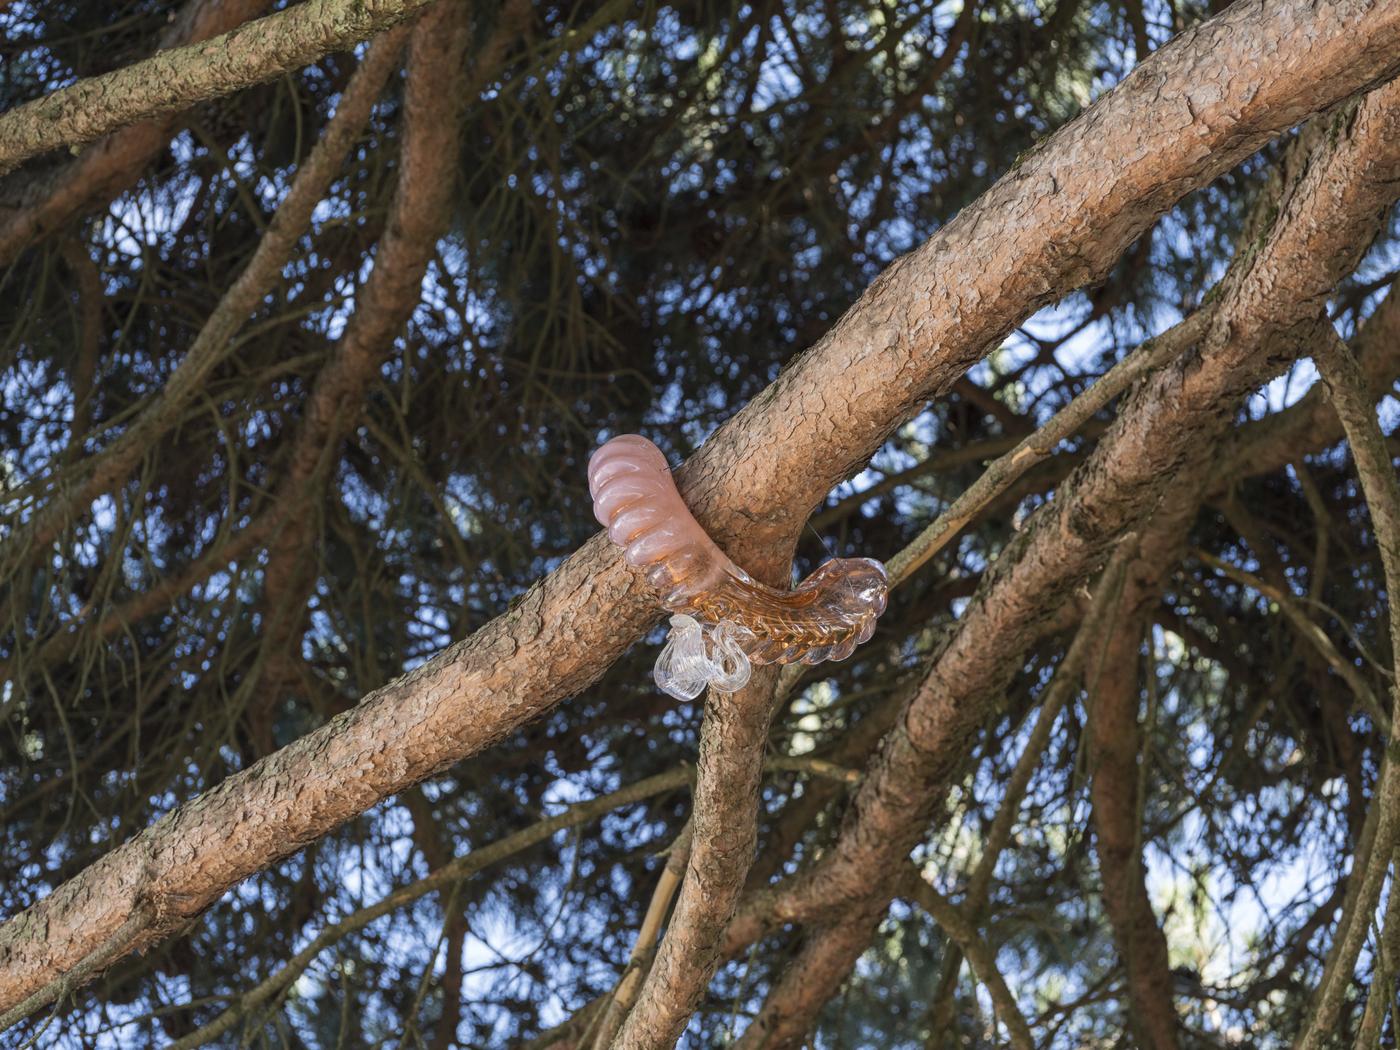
<point x="1352" y="398"/>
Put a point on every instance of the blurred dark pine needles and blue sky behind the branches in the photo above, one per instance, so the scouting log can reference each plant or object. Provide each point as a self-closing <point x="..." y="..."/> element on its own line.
<point x="659" y="205"/>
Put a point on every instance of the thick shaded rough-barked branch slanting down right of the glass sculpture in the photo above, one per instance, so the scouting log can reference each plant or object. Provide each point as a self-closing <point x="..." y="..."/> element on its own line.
<point x="1270" y="310"/>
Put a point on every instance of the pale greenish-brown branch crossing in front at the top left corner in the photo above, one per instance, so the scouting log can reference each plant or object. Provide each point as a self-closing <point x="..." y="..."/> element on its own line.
<point x="181" y="78"/>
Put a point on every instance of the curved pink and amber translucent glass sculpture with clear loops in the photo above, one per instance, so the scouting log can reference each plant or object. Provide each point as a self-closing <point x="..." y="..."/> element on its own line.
<point x="824" y="618"/>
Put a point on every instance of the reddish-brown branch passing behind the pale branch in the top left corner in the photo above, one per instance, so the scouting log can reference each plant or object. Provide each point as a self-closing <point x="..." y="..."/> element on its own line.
<point x="110" y="166"/>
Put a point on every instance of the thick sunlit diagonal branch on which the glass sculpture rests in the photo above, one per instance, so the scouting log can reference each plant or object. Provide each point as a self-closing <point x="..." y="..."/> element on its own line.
<point x="1058" y="222"/>
